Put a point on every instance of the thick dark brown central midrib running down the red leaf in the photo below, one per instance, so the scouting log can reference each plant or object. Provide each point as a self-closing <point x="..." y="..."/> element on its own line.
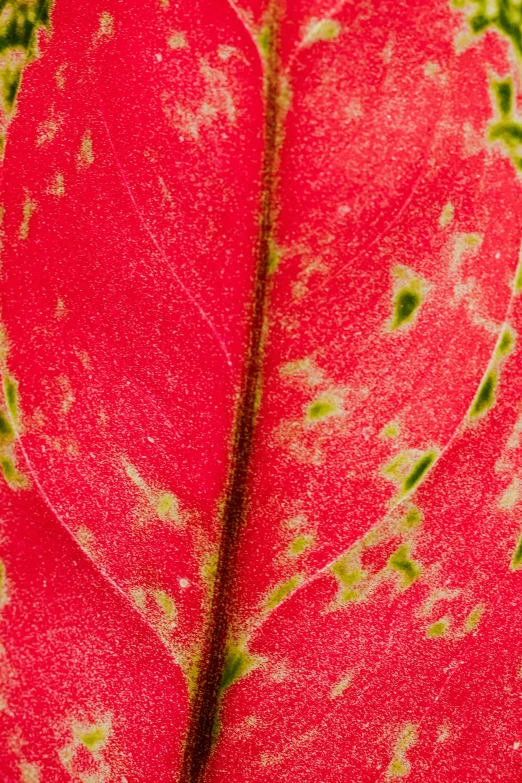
<point x="206" y="701"/>
